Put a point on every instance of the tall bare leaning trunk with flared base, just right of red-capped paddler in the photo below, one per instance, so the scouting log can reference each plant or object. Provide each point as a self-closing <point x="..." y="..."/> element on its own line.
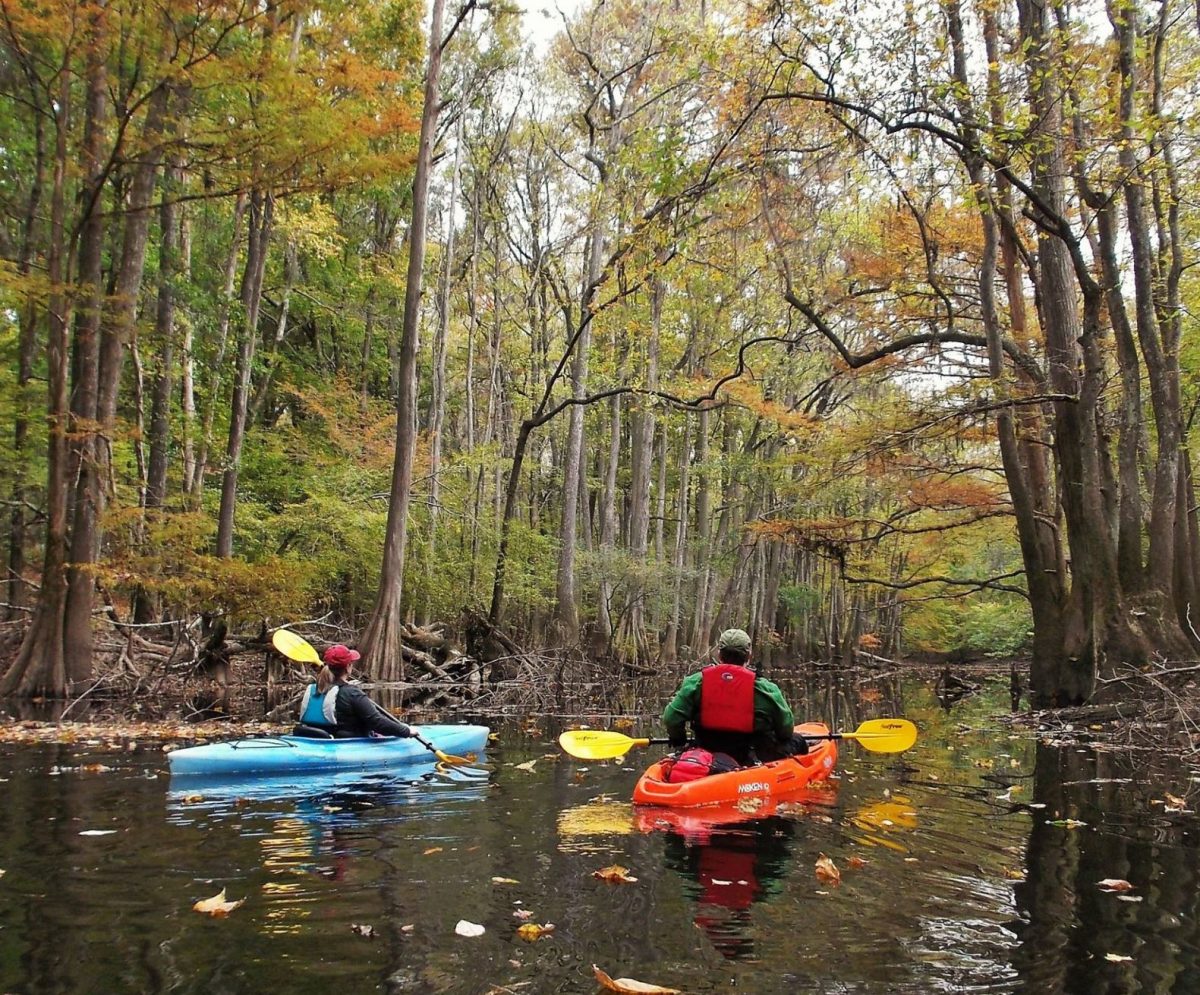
<point x="381" y="643"/>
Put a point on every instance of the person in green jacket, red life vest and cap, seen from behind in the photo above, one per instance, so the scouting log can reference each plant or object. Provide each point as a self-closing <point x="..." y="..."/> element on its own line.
<point x="733" y="711"/>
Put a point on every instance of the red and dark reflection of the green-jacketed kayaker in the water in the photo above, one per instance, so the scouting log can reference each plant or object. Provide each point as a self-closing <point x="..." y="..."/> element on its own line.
<point x="731" y="871"/>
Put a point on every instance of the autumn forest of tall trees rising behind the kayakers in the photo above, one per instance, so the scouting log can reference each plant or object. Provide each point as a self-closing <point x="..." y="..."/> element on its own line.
<point x="865" y="328"/>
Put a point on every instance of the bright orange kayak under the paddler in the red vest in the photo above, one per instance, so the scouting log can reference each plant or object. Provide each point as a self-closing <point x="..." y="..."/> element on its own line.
<point x="749" y="788"/>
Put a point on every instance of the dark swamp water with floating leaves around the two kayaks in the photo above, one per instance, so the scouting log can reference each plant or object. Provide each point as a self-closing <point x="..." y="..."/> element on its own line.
<point x="976" y="874"/>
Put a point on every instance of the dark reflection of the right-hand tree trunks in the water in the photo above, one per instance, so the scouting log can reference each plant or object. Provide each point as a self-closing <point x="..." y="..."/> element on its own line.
<point x="1070" y="925"/>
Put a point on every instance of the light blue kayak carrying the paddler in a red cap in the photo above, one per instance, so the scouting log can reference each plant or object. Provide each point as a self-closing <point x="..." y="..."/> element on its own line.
<point x="298" y="754"/>
